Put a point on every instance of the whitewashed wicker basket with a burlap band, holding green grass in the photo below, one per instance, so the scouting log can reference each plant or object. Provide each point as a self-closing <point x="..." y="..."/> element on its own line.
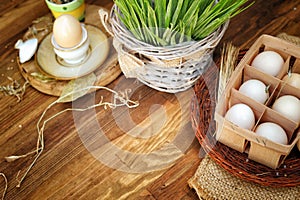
<point x="169" y="69"/>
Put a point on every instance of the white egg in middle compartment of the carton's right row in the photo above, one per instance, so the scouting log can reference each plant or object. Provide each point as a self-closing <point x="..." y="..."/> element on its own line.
<point x="289" y="106"/>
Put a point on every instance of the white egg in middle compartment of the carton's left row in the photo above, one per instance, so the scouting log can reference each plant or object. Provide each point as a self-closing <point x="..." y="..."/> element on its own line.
<point x="255" y="89"/>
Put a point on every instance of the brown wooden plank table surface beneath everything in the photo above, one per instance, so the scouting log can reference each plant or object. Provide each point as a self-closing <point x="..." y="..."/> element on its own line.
<point x="153" y="145"/>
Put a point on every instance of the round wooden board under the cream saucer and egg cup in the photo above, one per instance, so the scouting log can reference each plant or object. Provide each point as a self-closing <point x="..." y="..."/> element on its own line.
<point x="105" y="74"/>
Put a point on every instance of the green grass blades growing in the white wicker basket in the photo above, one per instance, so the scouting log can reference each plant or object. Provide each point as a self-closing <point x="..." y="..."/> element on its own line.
<point x="169" y="22"/>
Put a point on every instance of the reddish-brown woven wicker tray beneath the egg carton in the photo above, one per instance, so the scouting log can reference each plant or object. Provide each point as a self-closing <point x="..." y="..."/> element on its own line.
<point x="238" y="164"/>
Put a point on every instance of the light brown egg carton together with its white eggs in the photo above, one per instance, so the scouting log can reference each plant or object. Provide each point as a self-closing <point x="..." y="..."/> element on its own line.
<point x="267" y="134"/>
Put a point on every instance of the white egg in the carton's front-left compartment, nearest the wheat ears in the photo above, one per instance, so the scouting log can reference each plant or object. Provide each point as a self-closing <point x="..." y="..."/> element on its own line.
<point x="241" y="115"/>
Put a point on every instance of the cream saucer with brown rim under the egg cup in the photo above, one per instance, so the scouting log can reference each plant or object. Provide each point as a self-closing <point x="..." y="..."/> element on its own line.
<point x="52" y="66"/>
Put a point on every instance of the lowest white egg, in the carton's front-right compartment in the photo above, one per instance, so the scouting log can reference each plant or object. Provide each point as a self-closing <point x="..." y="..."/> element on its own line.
<point x="272" y="132"/>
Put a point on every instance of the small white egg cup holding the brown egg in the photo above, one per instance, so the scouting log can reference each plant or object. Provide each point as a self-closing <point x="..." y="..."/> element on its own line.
<point x="74" y="55"/>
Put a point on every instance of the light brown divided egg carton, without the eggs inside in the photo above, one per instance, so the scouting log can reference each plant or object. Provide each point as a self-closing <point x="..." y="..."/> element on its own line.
<point x="258" y="148"/>
